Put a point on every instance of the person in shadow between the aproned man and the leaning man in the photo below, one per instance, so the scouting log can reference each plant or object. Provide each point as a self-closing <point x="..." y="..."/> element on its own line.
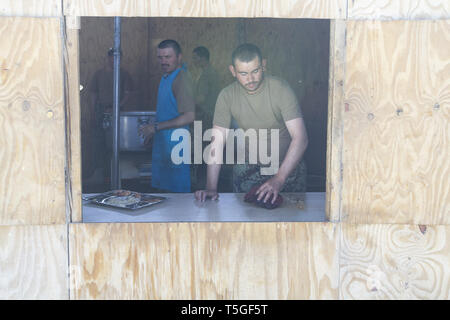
<point x="207" y="89"/>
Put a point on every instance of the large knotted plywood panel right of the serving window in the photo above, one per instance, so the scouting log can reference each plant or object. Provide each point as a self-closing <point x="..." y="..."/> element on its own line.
<point x="396" y="123"/>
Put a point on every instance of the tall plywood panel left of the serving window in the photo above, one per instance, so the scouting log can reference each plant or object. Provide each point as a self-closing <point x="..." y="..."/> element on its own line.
<point x="31" y="122"/>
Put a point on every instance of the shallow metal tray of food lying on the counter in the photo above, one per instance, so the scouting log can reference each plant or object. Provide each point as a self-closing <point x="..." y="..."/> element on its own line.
<point x="125" y="199"/>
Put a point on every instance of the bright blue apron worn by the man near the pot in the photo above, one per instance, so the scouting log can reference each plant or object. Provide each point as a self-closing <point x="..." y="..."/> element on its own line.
<point x="165" y="174"/>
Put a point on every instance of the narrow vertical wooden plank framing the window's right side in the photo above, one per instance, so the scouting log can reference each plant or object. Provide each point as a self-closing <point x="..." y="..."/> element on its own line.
<point x="335" y="120"/>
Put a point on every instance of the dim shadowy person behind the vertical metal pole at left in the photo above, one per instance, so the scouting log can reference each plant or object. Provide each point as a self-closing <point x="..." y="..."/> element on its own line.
<point x="101" y="100"/>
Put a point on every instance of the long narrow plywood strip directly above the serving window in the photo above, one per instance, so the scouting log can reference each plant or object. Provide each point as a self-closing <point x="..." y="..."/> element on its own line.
<point x="326" y="9"/>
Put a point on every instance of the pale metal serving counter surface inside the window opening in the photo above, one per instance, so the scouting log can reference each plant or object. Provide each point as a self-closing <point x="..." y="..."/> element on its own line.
<point x="182" y="207"/>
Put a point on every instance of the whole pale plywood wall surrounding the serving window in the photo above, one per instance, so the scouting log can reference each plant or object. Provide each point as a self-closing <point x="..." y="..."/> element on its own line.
<point x="395" y="172"/>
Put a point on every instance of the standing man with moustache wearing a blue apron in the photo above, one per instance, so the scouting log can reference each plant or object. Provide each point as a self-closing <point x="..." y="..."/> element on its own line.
<point x="175" y="109"/>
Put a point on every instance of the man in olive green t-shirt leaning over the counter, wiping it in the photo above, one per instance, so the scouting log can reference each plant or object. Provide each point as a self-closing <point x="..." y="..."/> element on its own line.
<point x="258" y="102"/>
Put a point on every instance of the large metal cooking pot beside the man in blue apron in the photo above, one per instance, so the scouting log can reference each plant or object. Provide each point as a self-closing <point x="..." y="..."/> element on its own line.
<point x="128" y="131"/>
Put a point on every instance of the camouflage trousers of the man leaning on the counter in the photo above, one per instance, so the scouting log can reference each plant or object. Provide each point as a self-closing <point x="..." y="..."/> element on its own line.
<point x="245" y="176"/>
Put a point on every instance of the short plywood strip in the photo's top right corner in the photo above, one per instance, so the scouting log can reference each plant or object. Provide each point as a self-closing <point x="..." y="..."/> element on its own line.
<point x="398" y="9"/>
